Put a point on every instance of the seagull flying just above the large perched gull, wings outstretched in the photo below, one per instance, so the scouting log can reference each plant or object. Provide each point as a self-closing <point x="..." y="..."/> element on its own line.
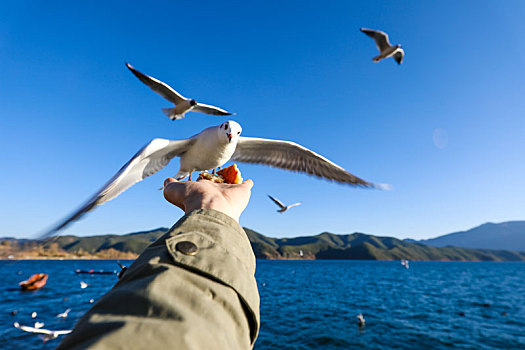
<point x="182" y="104"/>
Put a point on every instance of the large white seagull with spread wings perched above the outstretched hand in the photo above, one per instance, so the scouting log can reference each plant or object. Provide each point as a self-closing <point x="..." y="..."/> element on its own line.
<point x="209" y="149"/>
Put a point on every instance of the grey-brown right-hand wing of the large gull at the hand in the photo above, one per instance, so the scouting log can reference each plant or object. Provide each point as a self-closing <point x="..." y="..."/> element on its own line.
<point x="291" y="156"/>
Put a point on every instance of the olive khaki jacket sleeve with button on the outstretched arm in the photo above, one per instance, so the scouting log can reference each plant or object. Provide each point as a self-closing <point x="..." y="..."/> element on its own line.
<point x="194" y="288"/>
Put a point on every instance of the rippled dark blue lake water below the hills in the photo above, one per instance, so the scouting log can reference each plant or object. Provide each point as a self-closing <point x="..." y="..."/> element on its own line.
<point x="313" y="304"/>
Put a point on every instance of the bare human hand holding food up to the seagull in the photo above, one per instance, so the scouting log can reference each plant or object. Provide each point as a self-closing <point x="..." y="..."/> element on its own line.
<point x="204" y="194"/>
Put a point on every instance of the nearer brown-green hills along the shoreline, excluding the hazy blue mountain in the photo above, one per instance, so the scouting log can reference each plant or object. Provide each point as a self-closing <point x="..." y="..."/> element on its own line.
<point x="355" y="246"/>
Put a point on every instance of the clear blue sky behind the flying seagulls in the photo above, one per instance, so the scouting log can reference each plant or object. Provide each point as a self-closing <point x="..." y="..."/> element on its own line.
<point x="72" y="114"/>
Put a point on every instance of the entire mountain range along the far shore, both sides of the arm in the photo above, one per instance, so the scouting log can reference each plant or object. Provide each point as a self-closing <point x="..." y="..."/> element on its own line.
<point x="495" y="242"/>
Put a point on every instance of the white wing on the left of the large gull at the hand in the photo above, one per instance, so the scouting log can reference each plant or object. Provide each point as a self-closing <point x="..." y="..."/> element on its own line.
<point x="150" y="159"/>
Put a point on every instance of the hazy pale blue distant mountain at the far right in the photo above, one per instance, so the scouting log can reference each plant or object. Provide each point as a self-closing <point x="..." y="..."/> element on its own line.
<point x="506" y="235"/>
